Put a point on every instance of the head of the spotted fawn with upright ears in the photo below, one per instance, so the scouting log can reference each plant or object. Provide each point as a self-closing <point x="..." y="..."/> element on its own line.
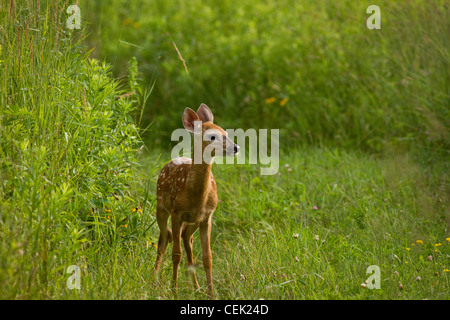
<point x="215" y="140"/>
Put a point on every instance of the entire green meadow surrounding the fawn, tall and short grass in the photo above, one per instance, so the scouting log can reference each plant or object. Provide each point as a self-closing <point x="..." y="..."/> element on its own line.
<point x="85" y="122"/>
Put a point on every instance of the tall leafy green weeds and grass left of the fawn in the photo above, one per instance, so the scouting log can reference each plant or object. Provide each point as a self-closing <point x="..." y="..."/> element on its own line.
<point x="68" y="153"/>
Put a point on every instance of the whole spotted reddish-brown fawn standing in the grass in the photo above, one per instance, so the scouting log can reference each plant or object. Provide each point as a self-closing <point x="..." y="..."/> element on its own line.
<point x="187" y="192"/>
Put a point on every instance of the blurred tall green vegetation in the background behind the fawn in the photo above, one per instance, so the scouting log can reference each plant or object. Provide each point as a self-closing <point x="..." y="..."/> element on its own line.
<point x="310" y="68"/>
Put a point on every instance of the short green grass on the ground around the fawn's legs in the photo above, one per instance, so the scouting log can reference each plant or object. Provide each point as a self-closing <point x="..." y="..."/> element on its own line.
<point x="370" y="211"/>
